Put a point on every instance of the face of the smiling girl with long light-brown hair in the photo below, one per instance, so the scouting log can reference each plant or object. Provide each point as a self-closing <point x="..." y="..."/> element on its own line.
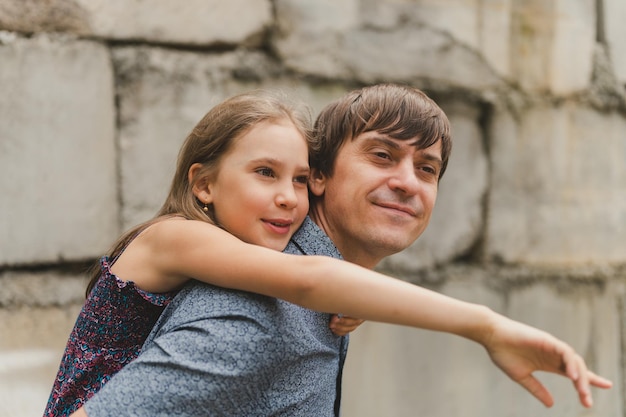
<point x="259" y="193"/>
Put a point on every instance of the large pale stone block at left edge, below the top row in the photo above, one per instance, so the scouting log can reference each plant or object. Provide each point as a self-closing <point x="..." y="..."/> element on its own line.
<point x="57" y="150"/>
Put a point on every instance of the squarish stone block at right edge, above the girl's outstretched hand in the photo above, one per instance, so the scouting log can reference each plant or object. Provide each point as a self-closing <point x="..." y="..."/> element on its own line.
<point x="558" y="187"/>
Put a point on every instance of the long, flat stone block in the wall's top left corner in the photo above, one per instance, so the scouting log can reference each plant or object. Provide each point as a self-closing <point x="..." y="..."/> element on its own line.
<point x="192" y="22"/>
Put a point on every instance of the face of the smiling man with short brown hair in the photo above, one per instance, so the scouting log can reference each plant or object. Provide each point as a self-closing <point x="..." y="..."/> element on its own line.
<point x="380" y="197"/>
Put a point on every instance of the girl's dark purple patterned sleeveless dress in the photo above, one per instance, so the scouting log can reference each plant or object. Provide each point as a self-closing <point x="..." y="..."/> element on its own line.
<point x="109" y="332"/>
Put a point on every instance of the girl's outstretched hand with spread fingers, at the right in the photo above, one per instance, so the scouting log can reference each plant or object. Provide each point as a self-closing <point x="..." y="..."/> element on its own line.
<point x="519" y="350"/>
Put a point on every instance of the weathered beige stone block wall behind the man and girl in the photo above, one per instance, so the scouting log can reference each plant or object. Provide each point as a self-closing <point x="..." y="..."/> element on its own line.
<point x="97" y="95"/>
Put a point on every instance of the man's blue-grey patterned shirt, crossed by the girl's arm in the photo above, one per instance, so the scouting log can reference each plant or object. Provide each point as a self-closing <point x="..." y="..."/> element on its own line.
<point x="218" y="352"/>
